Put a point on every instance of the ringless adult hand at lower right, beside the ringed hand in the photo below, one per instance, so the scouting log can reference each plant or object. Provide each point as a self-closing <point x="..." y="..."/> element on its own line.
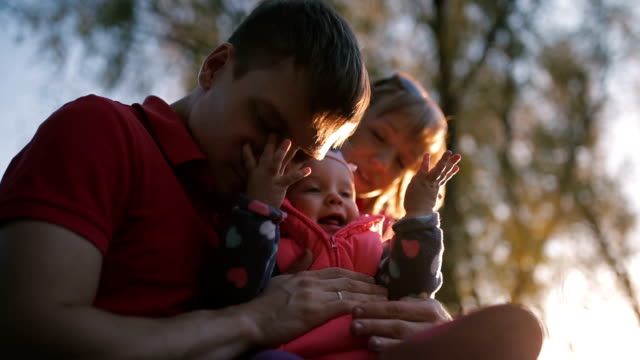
<point x="388" y="323"/>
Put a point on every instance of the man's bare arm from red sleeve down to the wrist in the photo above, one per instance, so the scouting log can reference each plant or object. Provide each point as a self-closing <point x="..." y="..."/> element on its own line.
<point x="48" y="280"/>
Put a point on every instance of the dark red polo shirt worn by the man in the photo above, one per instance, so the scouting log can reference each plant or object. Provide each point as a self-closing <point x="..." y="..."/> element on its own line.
<point x="94" y="168"/>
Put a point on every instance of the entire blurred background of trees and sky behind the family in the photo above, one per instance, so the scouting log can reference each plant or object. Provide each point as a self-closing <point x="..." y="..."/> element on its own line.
<point x="543" y="98"/>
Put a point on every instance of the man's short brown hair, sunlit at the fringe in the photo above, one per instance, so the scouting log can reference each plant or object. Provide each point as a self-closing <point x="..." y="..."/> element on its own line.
<point x="319" y="41"/>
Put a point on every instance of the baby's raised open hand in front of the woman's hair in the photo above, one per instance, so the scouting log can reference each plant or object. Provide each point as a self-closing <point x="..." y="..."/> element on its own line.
<point x="422" y="192"/>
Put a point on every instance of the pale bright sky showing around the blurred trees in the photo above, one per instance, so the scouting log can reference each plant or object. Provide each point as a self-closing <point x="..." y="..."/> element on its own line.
<point x="583" y="320"/>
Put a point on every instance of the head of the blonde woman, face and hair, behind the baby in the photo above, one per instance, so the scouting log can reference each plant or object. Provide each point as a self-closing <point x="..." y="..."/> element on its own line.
<point x="401" y="124"/>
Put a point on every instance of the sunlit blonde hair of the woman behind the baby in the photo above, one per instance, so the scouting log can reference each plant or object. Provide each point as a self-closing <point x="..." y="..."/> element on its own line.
<point x="400" y="93"/>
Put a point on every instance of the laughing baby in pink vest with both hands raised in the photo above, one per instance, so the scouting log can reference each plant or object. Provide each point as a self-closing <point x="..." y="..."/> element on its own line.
<point x="320" y="214"/>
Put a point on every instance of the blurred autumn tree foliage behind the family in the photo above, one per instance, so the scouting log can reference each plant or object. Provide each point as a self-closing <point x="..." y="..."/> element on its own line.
<point x="523" y="85"/>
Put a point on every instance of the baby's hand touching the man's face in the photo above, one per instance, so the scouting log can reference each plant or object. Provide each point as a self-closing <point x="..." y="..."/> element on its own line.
<point x="272" y="174"/>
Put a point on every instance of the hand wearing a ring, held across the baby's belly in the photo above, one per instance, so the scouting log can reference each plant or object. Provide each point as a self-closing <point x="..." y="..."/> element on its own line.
<point x="294" y="304"/>
